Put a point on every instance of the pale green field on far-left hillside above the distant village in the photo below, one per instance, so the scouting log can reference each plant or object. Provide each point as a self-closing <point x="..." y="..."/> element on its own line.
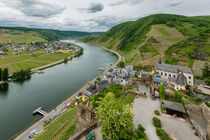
<point x="19" y="36"/>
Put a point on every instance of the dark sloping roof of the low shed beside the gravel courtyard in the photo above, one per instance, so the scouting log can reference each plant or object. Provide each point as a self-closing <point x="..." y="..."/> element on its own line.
<point x="174" y="106"/>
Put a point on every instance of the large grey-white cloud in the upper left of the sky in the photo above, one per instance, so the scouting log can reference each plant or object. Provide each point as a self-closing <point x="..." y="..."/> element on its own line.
<point x="36" y="8"/>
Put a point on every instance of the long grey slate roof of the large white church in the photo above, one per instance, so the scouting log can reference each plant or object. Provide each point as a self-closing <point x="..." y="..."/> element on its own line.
<point x="173" y="68"/>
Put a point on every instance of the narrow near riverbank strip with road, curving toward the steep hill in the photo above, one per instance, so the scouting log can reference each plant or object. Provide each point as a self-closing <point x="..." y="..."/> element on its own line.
<point x="61" y="107"/>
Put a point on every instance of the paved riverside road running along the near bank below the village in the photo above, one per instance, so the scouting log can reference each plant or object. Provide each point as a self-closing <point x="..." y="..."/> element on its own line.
<point x="38" y="126"/>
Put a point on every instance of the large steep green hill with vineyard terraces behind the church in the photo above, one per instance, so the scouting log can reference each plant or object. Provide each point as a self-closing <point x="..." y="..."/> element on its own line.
<point x="143" y="41"/>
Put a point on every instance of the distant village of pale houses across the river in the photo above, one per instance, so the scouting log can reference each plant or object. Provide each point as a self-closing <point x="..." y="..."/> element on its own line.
<point x="49" y="47"/>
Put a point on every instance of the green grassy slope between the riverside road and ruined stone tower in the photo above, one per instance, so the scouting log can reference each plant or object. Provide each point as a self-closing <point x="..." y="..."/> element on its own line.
<point x="60" y="128"/>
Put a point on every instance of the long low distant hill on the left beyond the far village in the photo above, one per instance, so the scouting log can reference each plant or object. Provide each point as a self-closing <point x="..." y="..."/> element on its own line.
<point x="26" y="35"/>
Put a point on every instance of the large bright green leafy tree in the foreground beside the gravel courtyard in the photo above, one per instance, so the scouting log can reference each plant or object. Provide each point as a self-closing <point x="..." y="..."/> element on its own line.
<point x="116" y="122"/>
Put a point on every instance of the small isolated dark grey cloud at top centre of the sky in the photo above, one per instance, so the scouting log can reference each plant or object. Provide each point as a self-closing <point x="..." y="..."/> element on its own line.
<point x="93" y="8"/>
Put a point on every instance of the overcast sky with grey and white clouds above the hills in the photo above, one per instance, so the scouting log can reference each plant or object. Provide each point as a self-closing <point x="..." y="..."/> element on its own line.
<point x="91" y="15"/>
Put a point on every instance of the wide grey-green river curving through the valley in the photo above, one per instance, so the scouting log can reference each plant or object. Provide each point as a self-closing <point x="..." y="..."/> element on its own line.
<point x="49" y="89"/>
